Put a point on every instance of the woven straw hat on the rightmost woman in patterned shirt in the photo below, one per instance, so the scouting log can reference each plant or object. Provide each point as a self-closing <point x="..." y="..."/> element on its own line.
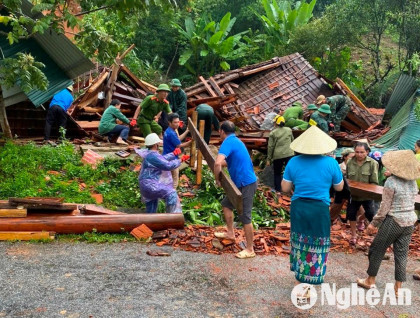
<point x="402" y="163"/>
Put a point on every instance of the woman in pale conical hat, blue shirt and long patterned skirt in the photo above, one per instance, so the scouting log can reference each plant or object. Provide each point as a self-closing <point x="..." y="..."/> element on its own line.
<point x="312" y="174"/>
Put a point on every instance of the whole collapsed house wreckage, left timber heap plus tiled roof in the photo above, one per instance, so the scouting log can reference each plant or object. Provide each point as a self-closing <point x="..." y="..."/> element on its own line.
<point x="244" y="96"/>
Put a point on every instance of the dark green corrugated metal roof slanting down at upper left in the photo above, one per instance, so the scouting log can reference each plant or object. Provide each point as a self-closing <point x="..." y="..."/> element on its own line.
<point x="63" y="61"/>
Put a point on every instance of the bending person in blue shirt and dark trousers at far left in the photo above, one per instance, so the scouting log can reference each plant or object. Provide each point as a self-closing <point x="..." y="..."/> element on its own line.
<point x="57" y="113"/>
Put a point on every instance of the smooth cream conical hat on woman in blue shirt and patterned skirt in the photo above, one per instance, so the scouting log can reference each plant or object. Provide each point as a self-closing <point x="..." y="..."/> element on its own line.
<point x="313" y="142"/>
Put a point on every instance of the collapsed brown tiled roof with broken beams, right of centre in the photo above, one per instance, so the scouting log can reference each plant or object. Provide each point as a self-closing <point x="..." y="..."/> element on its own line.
<point x="259" y="88"/>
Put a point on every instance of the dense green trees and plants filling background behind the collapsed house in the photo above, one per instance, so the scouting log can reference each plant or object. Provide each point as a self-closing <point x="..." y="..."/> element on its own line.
<point x="366" y="43"/>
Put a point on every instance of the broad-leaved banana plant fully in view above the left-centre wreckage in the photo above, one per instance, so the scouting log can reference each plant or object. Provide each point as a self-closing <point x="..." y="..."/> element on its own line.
<point x="209" y="47"/>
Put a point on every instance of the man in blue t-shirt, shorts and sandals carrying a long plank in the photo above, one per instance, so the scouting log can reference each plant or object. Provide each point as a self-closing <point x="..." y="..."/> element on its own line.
<point x="235" y="156"/>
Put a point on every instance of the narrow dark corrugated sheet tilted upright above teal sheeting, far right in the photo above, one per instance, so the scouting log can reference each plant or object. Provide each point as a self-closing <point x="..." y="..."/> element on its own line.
<point x="404" y="89"/>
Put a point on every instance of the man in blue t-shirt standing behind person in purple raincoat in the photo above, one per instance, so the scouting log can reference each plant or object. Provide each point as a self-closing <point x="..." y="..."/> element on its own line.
<point x="171" y="141"/>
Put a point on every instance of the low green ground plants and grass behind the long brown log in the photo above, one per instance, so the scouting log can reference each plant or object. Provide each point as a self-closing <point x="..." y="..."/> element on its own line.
<point x="32" y="171"/>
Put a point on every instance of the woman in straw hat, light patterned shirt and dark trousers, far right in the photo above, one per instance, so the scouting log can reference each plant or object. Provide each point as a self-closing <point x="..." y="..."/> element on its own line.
<point x="396" y="216"/>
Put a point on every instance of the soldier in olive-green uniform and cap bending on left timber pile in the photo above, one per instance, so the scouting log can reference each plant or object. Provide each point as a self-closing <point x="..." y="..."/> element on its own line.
<point x="151" y="107"/>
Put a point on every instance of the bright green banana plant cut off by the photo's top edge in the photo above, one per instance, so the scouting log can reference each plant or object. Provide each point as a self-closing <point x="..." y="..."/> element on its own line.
<point x="281" y="19"/>
